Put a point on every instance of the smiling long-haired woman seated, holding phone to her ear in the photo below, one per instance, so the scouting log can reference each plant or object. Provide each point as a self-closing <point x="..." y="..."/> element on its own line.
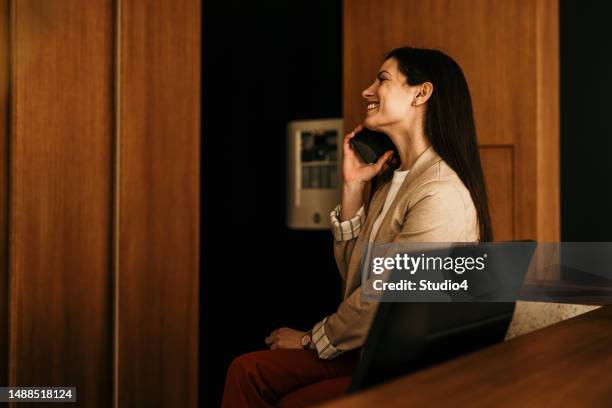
<point x="421" y="100"/>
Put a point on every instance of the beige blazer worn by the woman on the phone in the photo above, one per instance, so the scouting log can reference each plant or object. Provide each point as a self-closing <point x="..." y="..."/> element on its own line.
<point x="432" y="205"/>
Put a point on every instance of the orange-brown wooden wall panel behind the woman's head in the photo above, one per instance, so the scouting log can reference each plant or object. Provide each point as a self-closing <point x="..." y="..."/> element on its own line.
<point x="508" y="52"/>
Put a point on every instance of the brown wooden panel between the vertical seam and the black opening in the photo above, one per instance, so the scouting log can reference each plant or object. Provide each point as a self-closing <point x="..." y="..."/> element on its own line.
<point x="158" y="224"/>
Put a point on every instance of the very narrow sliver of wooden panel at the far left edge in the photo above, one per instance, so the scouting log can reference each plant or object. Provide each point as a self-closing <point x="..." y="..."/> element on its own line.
<point x="4" y="128"/>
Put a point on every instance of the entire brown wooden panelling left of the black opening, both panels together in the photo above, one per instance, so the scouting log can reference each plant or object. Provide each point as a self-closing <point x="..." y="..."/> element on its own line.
<point x="99" y="198"/>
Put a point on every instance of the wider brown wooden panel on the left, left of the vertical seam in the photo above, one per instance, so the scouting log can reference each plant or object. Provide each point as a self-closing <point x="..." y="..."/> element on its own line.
<point x="61" y="196"/>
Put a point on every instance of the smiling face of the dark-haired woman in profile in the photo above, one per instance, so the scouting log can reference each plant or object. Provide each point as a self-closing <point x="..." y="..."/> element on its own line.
<point x="389" y="99"/>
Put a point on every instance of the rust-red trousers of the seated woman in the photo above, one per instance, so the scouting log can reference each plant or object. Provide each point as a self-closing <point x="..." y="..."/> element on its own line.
<point x="286" y="378"/>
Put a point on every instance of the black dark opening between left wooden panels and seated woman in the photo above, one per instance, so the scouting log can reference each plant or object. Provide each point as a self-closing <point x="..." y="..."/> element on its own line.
<point x="265" y="63"/>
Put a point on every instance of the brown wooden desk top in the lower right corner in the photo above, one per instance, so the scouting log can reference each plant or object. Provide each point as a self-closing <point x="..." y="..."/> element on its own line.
<point x="566" y="364"/>
